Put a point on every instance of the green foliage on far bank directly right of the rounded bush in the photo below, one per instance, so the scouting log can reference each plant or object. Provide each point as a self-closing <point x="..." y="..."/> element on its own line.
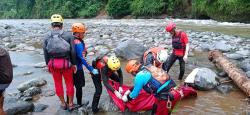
<point x="147" y="7"/>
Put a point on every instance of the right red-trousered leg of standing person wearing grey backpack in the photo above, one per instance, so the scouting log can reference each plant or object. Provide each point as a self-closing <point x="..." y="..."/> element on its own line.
<point x="68" y="78"/>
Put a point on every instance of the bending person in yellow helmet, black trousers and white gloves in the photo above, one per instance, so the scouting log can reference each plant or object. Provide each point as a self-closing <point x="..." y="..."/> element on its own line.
<point x="109" y="68"/>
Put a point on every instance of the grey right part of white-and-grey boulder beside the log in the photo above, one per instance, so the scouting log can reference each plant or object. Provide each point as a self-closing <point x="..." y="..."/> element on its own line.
<point x="205" y="79"/>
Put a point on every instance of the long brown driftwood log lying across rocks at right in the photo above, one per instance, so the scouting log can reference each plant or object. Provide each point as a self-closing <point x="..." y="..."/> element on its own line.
<point x="236" y="74"/>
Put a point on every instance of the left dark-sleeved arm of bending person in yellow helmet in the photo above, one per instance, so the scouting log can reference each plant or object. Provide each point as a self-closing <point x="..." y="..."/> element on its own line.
<point x="104" y="72"/>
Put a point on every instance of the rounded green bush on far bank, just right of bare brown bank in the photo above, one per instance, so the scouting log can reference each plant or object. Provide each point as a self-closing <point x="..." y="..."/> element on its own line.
<point x="118" y="8"/>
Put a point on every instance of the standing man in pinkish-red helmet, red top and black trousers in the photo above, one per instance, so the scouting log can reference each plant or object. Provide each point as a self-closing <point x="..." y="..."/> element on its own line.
<point x="180" y="48"/>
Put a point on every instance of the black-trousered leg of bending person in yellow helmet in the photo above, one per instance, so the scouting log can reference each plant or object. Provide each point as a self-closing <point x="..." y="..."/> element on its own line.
<point x="98" y="91"/>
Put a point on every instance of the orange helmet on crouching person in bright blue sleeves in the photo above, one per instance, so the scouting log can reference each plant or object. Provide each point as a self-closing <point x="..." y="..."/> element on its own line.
<point x="132" y="66"/>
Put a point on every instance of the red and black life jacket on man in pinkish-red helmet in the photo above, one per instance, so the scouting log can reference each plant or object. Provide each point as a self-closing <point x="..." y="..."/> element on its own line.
<point x="177" y="43"/>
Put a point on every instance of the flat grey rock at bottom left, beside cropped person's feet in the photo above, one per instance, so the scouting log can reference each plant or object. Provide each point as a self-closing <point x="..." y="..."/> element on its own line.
<point x="14" y="106"/>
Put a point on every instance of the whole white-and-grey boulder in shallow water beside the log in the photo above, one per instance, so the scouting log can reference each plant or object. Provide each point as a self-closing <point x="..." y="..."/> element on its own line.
<point x="202" y="79"/>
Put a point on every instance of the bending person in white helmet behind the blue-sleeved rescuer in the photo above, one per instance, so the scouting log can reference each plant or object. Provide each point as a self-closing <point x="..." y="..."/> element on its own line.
<point x="156" y="56"/>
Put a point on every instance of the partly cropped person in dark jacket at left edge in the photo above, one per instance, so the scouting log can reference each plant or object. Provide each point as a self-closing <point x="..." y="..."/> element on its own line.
<point x="6" y="75"/>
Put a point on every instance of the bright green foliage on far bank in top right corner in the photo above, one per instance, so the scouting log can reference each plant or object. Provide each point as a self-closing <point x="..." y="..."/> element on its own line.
<point x="223" y="10"/>
